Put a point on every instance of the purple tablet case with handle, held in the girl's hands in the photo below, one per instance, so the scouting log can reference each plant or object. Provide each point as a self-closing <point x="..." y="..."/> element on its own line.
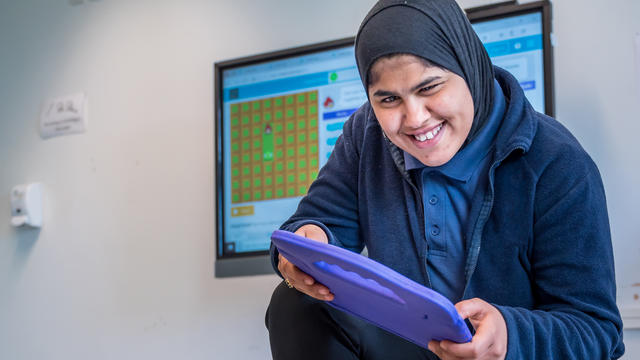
<point x="374" y="292"/>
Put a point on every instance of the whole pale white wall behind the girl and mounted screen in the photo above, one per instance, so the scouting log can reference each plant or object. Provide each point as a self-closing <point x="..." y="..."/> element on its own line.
<point x="123" y="267"/>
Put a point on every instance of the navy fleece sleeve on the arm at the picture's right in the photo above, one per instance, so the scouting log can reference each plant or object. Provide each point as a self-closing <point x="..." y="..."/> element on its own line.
<point x="575" y="316"/>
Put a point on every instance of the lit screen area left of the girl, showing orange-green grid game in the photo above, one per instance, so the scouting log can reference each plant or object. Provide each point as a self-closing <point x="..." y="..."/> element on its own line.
<point x="283" y="119"/>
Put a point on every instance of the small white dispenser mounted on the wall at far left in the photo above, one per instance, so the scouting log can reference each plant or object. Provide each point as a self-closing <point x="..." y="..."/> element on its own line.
<point x="26" y="205"/>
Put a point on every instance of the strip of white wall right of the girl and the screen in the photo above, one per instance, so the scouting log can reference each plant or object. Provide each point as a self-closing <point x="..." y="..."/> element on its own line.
<point x="598" y="91"/>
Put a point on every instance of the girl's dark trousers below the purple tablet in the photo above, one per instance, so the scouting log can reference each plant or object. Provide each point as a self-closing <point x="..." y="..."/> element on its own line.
<point x="301" y="327"/>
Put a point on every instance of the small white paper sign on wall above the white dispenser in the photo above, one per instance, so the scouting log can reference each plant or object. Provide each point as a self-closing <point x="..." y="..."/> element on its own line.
<point x="64" y="115"/>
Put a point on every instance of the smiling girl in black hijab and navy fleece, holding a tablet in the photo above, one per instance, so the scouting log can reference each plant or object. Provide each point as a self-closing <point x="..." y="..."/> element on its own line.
<point x="450" y="177"/>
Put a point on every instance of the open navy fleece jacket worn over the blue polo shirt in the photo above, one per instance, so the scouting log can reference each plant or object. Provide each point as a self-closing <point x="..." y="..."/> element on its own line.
<point x="538" y="246"/>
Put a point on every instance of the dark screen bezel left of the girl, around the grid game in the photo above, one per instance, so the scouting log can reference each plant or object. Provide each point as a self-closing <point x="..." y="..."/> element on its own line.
<point x="254" y="262"/>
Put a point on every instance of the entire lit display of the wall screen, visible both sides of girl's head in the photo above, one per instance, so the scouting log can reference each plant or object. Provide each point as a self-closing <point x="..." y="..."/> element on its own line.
<point x="279" y="116"/>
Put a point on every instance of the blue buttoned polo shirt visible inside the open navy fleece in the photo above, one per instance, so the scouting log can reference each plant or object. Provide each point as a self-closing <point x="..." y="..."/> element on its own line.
<point x="447" y="192"/>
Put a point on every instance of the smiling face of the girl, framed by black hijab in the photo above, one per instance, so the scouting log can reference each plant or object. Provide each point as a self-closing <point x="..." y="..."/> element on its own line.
<point x="424" y="110"/>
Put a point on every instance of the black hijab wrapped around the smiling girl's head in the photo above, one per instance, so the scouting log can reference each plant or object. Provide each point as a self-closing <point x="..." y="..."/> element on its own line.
<point x="435" y="30"/>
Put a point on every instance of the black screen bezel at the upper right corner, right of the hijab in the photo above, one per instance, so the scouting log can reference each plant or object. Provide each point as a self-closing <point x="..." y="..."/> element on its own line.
<point x="502" y="11"/>
